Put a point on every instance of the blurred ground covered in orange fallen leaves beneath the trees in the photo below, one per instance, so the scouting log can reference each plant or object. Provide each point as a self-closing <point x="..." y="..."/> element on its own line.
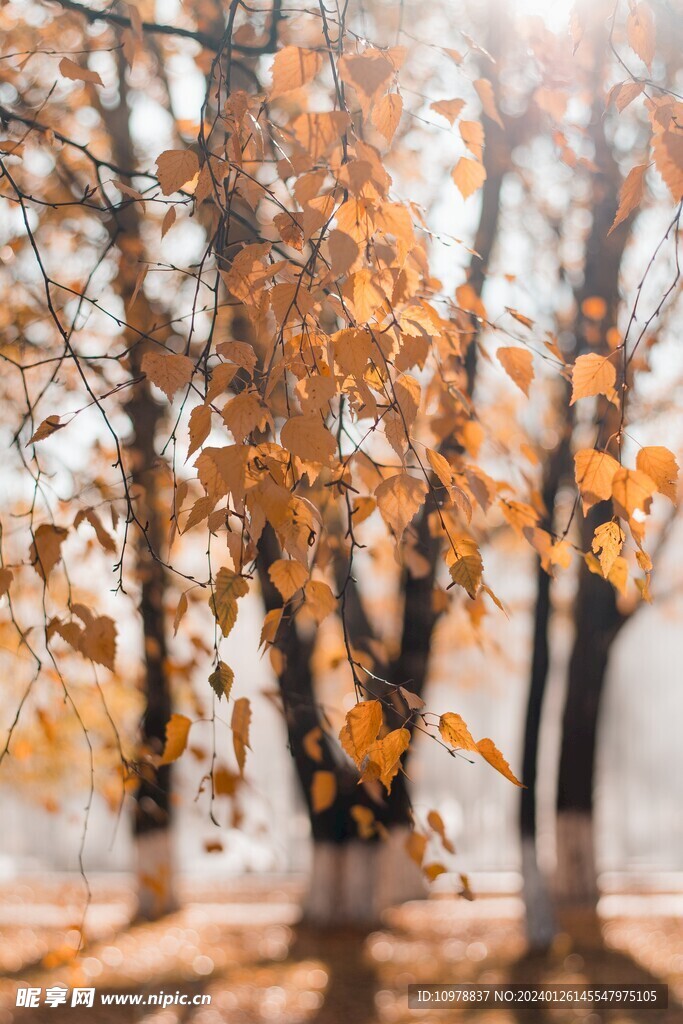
<point x="243" y="945"/>
